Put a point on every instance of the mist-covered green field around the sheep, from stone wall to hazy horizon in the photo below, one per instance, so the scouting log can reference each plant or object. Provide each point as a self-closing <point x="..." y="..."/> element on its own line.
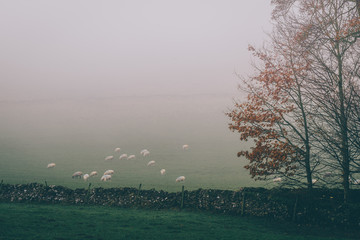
<point x="77" y="135"/>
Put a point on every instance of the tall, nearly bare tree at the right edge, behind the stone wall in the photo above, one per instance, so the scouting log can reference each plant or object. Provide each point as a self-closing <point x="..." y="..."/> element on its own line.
<point x="327" y="39"/>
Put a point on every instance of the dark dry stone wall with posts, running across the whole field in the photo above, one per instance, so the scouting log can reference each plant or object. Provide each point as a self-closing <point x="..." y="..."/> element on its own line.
<point x="322" y="206"/>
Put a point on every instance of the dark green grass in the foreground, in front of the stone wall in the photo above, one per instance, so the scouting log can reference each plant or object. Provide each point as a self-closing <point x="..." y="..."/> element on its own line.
<point x="34" y="221"/>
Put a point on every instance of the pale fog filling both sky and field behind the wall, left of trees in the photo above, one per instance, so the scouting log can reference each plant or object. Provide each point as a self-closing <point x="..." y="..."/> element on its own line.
<point x="79" y="78"/>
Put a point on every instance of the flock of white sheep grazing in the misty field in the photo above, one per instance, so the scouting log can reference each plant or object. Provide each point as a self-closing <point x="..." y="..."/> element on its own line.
<point x="107" y="174"/>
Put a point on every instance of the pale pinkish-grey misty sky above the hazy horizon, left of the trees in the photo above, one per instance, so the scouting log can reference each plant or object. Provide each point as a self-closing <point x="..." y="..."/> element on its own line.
<point x="86" y="48"/>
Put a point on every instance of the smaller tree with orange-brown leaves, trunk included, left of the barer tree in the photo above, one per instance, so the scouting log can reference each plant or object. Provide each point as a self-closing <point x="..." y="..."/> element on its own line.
<point x="275" y="118"/>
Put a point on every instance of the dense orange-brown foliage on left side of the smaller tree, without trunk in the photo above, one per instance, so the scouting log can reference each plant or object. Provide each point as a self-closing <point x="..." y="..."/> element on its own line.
<point x="261" y="118"/>
